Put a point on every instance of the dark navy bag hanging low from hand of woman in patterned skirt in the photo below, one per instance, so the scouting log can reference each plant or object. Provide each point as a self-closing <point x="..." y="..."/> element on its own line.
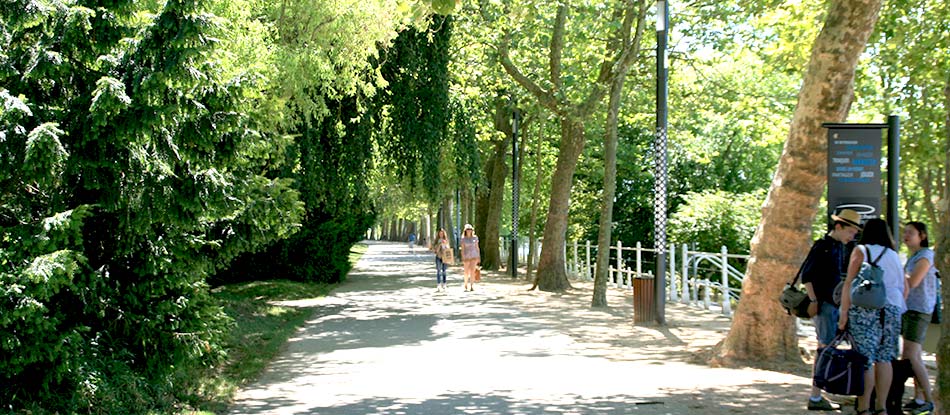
<point x="840" y="371"/>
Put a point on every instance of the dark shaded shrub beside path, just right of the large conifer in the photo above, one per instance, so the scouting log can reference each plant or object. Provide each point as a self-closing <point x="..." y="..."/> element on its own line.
<point x="334" y="154"/>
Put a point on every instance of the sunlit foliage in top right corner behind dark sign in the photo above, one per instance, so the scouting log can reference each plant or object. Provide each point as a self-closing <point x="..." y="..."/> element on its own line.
<point x="905" y="76"/>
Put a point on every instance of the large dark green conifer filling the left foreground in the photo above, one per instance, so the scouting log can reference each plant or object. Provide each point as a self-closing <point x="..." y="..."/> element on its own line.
<point x="132" y="170"/>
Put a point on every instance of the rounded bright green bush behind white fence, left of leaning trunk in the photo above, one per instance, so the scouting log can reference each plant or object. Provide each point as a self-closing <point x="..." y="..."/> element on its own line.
<point x="714" y="219"/>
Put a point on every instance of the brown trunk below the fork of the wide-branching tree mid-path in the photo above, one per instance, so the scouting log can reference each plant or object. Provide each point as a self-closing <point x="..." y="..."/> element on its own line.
<point x="551" y="273"/>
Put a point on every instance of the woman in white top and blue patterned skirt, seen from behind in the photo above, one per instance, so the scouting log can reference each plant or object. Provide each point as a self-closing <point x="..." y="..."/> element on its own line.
<point x="876" y="332"/>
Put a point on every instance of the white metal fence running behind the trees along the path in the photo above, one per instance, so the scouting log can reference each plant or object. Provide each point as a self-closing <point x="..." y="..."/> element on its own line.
<point x="693" y="277"/>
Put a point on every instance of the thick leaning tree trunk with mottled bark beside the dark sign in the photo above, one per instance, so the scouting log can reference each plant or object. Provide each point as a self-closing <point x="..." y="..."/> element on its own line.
<point x="761" y="330"/>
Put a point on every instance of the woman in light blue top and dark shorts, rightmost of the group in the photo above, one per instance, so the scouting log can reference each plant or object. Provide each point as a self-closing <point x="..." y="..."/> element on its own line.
<point x="921" y="278"/>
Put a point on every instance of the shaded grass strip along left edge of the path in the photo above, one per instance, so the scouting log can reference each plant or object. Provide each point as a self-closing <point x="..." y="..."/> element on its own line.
<point x="261" y="328"/>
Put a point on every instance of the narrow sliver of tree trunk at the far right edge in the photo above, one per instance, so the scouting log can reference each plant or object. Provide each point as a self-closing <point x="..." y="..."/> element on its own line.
<point x="943" y="264"/>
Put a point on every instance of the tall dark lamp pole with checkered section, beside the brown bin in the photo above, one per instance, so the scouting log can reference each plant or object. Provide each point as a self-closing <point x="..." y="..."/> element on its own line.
<point x="660" y="175"/>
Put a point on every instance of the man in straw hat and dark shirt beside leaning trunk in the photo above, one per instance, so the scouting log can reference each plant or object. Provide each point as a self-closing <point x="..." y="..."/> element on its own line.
<point x="820" y="274"/>
